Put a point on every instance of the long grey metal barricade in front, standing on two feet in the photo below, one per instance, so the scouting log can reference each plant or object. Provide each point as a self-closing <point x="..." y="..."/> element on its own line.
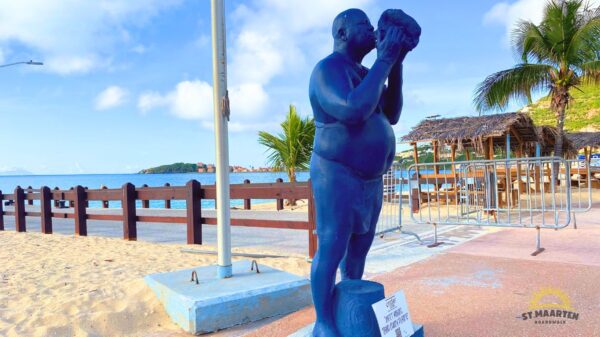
<point x="520" y="192"/>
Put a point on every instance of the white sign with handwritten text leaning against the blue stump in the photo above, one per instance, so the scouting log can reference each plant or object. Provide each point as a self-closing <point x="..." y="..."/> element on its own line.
<point x="393" y="317"/>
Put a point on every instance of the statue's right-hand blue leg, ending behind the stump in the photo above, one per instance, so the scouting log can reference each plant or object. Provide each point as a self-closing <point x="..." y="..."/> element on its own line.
<point x="353" y="265"/>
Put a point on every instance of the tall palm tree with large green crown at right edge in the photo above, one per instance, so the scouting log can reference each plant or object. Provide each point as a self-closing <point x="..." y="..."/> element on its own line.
<point x="557" y="55"/>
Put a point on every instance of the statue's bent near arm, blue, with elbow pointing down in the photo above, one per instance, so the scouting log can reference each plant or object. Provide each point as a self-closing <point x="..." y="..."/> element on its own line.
<point x="336" y="96"/>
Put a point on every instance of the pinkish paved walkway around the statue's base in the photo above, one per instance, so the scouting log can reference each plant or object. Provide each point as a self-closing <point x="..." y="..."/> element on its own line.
<point x="484" y="286"/>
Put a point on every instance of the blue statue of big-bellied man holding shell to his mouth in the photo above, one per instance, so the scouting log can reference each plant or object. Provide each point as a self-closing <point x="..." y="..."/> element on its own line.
<point x="354" y="145"/>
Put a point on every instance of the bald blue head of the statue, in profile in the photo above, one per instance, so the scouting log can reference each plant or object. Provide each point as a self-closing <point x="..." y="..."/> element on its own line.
<point x="353" y="30"/>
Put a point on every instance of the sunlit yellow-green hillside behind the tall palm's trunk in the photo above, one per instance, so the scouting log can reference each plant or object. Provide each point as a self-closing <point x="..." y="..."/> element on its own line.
<point x="583" y="114"/>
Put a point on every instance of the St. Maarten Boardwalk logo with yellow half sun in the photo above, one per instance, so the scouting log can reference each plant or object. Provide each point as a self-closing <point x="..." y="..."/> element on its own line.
<point x="550" y="306"/>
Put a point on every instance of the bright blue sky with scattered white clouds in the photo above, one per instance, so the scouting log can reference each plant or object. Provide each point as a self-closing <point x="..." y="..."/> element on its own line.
<point x="127" y="85"/>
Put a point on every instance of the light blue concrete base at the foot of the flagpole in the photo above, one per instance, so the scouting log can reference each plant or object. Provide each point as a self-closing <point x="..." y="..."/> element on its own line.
<point x="214" y="304"/>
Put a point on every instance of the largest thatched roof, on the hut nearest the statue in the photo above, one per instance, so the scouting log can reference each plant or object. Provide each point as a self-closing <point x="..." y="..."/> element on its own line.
<point x="472" y="131"/>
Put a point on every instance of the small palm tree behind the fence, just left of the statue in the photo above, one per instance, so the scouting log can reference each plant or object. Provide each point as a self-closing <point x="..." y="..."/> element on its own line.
<point x="290" y="150"/>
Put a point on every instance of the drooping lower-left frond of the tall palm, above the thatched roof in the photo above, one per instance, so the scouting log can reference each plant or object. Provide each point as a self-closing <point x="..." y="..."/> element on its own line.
<point x="498" y="89"/>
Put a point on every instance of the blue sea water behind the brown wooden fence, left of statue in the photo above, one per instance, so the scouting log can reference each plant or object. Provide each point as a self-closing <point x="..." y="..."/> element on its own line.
<point x="95" y="181"/>
